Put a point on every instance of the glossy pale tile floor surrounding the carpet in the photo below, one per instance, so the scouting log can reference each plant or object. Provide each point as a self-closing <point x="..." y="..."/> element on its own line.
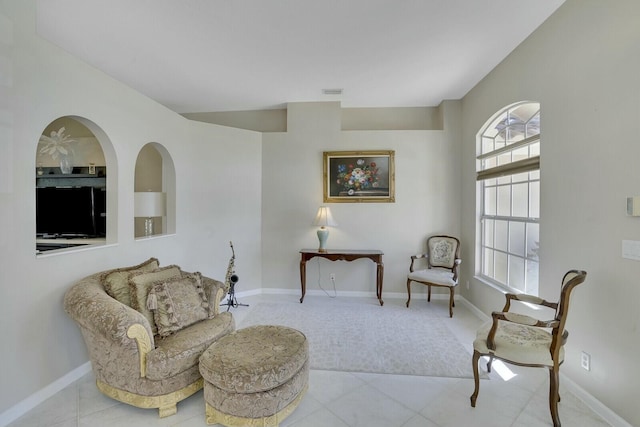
<point x="341" y="399"/>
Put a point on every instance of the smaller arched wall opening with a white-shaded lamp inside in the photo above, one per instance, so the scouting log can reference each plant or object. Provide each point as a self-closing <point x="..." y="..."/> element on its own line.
<point x="155" y="172"/>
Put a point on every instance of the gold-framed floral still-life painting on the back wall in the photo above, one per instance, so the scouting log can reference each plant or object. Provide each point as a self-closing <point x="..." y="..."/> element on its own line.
<point x="359" y="176"/>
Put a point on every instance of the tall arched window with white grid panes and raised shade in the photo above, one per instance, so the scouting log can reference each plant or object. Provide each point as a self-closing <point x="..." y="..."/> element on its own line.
<point x="509" y="178"/>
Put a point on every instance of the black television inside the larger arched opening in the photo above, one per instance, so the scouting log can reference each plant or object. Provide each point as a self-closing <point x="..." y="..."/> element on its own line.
<point x="70" y="212"/>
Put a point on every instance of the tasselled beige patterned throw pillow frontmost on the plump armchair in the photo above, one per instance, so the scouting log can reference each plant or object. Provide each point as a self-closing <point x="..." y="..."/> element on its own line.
<point x="178" y="303"/>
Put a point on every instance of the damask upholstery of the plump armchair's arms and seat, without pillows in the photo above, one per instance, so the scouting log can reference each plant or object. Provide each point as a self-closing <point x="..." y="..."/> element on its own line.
<point x="172" y="362"/>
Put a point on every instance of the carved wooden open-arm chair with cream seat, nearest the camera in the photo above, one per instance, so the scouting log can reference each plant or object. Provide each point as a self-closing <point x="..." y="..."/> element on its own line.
<point x="526" y="341"/>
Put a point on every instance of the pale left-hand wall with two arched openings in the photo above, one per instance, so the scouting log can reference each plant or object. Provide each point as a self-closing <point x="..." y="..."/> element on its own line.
<point x="218" y="197"/>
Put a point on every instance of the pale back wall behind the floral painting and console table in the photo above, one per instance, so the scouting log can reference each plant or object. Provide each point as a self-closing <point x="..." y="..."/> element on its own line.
<point x="427" y="200"/>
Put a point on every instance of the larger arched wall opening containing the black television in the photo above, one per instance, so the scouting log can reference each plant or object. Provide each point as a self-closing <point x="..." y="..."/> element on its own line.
<point x="93" y="164"/>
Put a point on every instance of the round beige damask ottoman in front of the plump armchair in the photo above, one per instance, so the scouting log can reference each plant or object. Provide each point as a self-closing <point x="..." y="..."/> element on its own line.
<point x="255" y="376"/>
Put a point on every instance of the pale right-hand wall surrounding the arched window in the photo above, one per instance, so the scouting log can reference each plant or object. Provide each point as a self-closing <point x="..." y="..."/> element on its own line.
<point x="583" y="66"/>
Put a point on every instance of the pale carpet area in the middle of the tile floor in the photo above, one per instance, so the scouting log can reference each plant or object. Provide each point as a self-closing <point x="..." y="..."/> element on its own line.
<point x="362" y="336"/>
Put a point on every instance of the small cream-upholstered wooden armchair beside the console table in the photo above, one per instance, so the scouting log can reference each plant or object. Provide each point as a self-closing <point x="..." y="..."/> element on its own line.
<point x="443" y="253"/>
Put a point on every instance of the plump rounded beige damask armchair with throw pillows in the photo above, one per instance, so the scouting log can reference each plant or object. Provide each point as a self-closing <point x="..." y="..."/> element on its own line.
<point x="132" y="360"/>
